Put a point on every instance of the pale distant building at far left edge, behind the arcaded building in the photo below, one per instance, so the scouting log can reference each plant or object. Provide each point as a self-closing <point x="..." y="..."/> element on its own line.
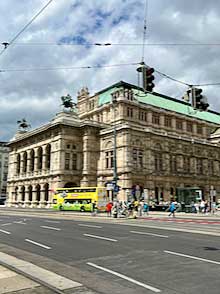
<point x="4" y="153"/>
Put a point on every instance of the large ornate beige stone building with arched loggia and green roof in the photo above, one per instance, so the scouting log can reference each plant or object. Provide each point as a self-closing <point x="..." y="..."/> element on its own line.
<point x="162" y="144"/>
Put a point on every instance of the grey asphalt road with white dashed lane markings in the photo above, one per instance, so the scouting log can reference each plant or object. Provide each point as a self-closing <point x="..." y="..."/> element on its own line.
<point x="111" y="257"/>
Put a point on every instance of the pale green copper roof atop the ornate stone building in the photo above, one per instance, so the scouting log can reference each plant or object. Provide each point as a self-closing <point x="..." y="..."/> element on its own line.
<point x="160" y="101"/>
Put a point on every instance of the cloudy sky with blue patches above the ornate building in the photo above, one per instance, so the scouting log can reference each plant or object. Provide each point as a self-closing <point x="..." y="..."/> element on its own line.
<point x="61" y="36"/>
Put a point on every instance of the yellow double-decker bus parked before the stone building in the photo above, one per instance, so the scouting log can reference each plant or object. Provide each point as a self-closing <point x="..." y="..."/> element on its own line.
<point x="80" y="198"/>
